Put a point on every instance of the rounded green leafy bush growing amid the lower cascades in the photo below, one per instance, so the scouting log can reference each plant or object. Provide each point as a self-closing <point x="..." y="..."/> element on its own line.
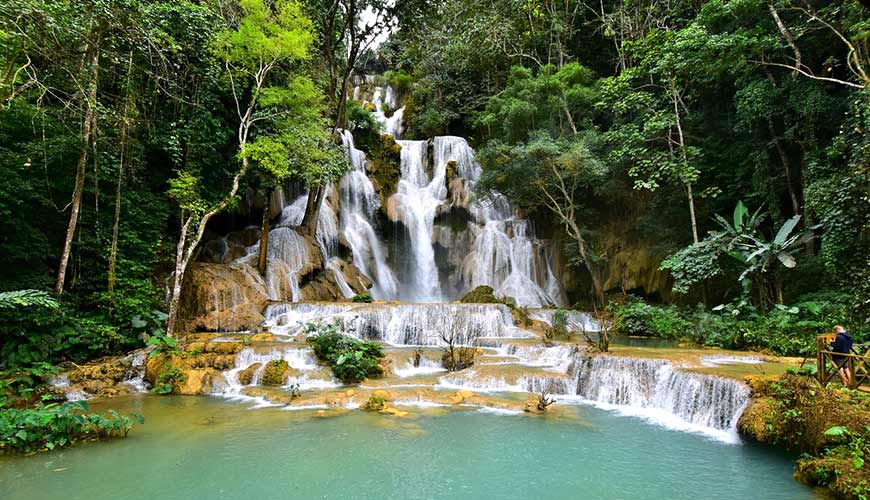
<point x="351" y="360"/>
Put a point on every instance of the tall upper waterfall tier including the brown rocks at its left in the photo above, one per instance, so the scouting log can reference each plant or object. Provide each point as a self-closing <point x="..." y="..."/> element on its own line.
<point x="405" y="223"/>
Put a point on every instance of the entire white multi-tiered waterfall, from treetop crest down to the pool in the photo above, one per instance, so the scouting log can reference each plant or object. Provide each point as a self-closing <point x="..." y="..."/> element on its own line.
<point x="454" y="242"/>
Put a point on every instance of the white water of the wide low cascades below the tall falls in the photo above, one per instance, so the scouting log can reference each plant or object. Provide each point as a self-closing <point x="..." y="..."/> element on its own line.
<point x="512" y="360"/>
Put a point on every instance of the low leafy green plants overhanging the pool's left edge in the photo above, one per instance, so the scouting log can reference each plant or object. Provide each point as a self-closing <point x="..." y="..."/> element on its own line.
<point x="50" y="426"/>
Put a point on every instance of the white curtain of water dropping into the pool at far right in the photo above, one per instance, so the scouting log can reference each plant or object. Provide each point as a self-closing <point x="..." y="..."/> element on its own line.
<point x="654" y="389"/>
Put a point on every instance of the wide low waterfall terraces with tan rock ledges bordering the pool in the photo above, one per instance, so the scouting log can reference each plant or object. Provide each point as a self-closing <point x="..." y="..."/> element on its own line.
<point x="511" y="366"/>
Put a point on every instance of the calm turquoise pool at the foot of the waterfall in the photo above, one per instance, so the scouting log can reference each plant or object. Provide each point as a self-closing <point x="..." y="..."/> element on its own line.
<point x="202" y="448"/>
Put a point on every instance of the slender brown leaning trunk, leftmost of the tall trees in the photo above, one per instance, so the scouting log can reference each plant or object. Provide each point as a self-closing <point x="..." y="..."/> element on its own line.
<point x="88" y="125"/>
